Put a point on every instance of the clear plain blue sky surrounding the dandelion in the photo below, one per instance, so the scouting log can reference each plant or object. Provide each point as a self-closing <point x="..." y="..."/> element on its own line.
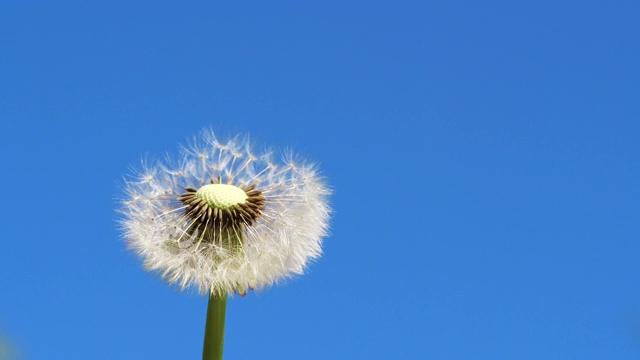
<point x="484" y="158"/>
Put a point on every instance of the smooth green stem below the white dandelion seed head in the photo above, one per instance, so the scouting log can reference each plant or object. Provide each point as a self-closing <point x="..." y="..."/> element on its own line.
<point x="214" y="329"/>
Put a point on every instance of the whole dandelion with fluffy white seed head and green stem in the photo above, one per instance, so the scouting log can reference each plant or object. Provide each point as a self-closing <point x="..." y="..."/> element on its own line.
<point x="223" y="218"/>
